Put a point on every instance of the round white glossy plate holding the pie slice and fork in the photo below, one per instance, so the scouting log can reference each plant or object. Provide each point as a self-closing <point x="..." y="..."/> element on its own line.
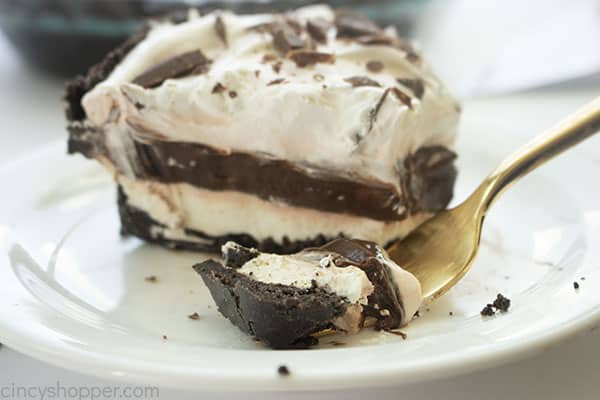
<point x="74" y="294"/>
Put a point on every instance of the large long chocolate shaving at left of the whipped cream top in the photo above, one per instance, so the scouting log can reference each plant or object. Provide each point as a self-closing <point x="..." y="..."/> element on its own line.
<point x="176" y="67"/>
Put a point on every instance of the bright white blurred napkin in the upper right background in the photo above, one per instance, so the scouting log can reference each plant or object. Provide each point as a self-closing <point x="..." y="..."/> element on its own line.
<point x="489" y="47"/>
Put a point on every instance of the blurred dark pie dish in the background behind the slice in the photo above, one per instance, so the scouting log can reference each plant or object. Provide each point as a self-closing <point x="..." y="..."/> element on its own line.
<point x="66" y="37"/>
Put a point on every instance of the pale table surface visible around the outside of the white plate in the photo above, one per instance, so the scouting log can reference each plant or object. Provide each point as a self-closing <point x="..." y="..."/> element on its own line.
<point x="31" y="115"/>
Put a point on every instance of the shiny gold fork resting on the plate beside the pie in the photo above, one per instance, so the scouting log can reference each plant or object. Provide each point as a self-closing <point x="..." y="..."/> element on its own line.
<point x="440" y="252"/>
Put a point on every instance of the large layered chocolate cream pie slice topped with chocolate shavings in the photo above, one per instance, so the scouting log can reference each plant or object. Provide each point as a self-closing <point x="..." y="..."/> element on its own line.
<point x="277" y="131"/>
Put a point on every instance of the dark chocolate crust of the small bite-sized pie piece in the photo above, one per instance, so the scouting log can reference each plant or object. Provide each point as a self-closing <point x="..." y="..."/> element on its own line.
<point x="283" y="317"/>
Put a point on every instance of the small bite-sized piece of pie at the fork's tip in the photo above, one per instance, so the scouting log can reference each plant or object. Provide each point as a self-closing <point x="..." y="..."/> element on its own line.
<point x="284" y="300"/>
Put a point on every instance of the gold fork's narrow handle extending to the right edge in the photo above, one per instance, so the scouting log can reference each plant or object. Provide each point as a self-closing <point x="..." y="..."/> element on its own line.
<point x="574" y="129"/>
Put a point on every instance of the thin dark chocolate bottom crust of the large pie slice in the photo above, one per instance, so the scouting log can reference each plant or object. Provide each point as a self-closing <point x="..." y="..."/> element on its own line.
<point x="138" y="223"/>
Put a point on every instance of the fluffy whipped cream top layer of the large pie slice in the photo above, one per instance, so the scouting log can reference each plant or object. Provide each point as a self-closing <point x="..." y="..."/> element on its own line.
<point x="312" y="117"/>
